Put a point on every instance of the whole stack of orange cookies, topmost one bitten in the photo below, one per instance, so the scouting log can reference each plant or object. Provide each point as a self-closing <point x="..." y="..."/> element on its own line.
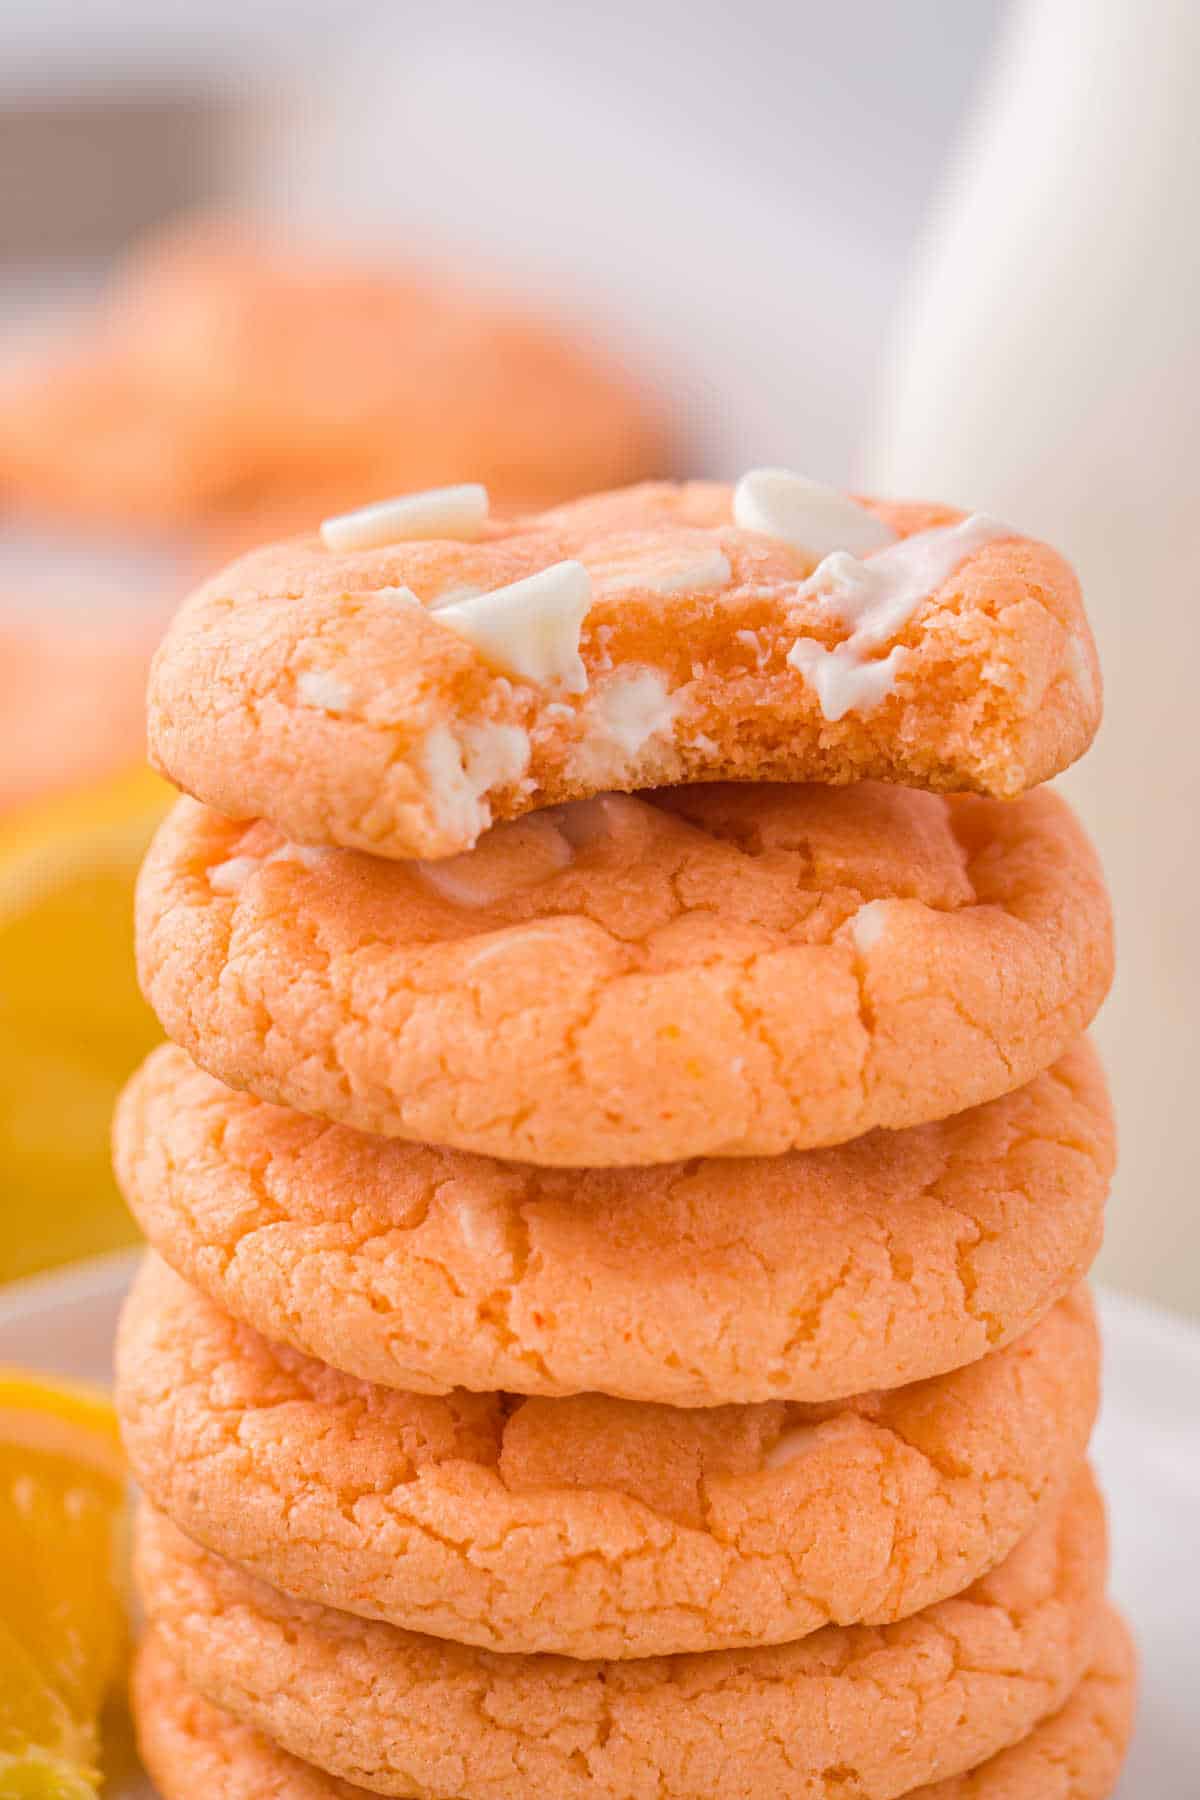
<point x="627" y="1164"/>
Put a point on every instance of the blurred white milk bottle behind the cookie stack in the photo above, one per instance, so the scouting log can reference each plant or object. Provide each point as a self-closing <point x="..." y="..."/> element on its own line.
<point x="1048" y="368"/>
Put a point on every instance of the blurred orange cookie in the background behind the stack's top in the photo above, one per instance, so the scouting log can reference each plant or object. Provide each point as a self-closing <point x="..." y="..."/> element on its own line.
<point x="224" y="372"/>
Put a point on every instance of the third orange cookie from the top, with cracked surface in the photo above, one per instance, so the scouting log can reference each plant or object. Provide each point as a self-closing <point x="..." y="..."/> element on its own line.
<point x="803" y="1277"/>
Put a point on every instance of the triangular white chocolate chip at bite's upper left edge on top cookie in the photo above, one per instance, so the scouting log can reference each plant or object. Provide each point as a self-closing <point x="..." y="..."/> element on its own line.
<point x="532" y="627"/>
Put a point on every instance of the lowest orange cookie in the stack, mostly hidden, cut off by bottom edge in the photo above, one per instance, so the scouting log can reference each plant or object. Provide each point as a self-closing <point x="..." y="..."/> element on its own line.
<point x="195" y="1750"/>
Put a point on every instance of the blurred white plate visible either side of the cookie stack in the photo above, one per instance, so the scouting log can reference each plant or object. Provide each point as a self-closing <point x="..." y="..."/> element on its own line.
<point x="1147" y="1448"/>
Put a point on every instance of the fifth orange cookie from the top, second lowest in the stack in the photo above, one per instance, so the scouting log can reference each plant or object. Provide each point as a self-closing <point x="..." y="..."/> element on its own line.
<point x="848" y="1711"/>
